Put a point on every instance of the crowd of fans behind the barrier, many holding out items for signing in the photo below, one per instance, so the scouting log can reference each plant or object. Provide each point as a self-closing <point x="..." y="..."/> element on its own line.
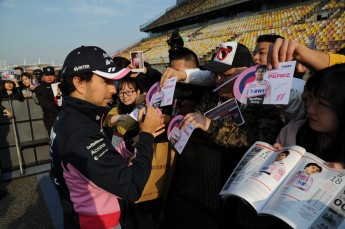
<point x="319" y="115"/>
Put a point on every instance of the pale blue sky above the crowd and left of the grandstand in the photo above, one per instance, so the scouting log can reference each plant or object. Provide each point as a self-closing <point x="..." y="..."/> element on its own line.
<point x="48" y="29"/>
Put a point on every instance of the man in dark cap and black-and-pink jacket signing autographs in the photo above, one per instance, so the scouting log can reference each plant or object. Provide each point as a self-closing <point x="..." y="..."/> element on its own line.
<point x="89" y="173"/>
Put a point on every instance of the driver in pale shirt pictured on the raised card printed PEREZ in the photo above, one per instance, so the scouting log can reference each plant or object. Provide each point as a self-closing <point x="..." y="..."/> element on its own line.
<point x="258" y="91"/>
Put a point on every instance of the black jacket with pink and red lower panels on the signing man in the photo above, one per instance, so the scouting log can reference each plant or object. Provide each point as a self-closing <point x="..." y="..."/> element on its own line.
<point x="88" y="172"/>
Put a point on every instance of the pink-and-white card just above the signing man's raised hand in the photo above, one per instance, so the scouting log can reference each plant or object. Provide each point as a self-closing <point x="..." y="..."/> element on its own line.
<point x="159" y="97"/>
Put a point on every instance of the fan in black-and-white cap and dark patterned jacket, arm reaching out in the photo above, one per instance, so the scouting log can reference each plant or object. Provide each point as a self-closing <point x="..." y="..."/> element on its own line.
<point x="262" y="122"/>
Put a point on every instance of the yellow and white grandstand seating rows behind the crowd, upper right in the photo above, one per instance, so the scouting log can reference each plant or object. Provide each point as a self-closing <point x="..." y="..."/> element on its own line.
<point x="298" y="22"/>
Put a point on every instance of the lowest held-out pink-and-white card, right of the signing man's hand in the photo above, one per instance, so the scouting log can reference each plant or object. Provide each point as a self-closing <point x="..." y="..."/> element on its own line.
<point x="177" y="136"/>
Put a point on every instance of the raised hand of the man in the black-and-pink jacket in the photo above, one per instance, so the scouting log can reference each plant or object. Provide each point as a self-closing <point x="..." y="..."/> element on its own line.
<point x="149" y="120"/>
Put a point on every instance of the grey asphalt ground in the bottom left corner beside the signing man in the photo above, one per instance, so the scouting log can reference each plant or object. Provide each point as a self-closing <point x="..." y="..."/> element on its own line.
<point x="30" y="202"/>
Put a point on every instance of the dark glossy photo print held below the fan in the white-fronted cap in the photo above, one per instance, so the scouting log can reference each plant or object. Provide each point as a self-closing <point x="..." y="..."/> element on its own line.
<point x="228" y="110"/>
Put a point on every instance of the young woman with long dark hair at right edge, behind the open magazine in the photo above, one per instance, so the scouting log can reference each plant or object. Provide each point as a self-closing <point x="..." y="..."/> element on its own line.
<point x="322" y="133"/>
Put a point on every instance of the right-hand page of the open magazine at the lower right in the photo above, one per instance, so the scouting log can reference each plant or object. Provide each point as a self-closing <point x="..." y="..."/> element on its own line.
<point x="312" y="196"/>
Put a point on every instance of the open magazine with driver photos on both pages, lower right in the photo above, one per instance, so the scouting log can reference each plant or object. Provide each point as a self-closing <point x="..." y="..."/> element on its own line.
<point x="290" y="184"/>
